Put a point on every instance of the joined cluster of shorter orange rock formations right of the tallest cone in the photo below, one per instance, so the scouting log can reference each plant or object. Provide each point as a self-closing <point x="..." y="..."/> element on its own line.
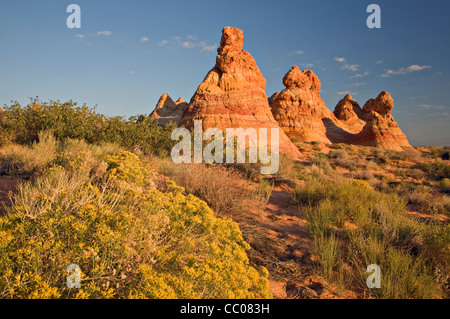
<point x="302" y="114"/>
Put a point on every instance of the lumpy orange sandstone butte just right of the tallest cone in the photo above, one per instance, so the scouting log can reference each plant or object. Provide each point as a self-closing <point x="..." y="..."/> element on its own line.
<point x="299" y="109"/>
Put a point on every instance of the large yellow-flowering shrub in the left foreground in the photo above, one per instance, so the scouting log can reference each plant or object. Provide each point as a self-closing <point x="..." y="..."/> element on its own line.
<point x="128" y="238"/>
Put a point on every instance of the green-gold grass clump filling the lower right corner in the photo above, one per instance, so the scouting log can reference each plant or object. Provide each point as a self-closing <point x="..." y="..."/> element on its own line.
<point x="384" y="235"/>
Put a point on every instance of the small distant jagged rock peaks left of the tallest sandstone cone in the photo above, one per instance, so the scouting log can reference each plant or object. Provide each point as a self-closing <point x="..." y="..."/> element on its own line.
<point x="167" y="110"/>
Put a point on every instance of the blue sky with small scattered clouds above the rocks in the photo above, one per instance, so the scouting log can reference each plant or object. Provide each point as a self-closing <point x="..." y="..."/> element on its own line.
<point x="128" y="53"/>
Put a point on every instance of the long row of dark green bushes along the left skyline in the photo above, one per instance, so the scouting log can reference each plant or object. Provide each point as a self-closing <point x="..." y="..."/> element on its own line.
<point x="21" y="125"/>
